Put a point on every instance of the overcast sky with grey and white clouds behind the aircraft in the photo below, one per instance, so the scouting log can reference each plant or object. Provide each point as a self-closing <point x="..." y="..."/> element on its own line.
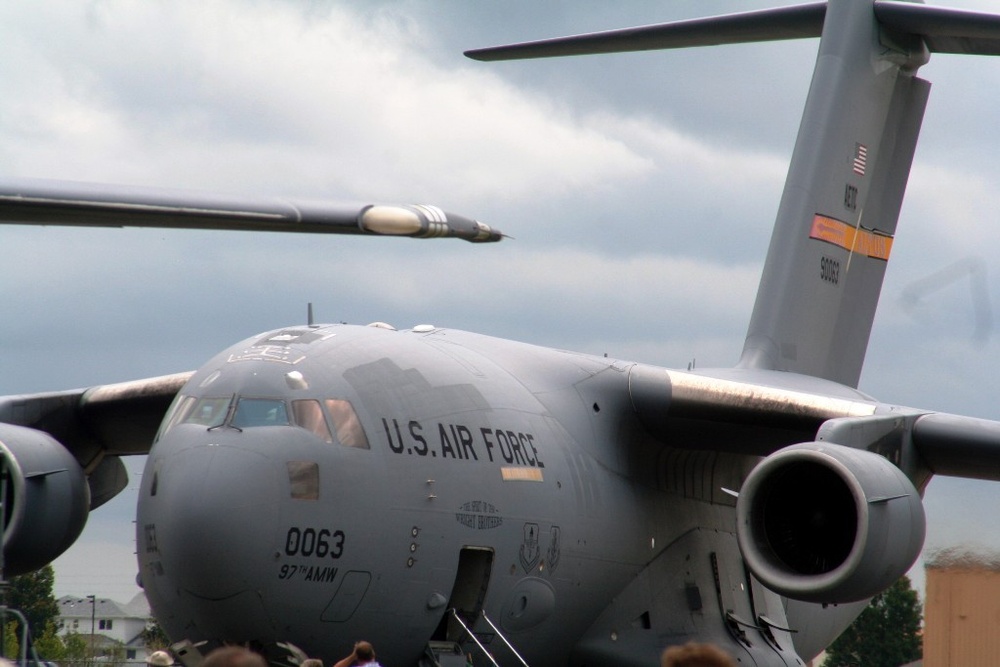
<point x="640" y="190"/>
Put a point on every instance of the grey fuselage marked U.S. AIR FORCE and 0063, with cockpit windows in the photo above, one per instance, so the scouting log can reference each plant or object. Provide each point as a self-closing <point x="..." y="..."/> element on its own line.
<point x="318" y="485"/>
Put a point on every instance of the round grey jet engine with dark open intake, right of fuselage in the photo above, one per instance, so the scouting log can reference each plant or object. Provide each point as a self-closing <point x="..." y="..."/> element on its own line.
<point x="826" y="523"/>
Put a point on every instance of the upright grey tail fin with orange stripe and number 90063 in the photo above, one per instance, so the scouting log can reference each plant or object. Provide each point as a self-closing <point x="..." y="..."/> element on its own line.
<point x="838" y="212"/>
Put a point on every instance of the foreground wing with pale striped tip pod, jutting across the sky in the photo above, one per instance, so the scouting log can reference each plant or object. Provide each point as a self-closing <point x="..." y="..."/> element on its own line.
<point x="47" y="202"/>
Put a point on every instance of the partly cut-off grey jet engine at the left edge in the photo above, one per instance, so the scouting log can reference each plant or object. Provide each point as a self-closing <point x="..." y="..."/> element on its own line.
<point x="47" y="499"/>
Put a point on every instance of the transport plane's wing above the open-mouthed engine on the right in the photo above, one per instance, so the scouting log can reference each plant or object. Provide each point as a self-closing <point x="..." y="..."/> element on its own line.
<point x="752" y="413"/>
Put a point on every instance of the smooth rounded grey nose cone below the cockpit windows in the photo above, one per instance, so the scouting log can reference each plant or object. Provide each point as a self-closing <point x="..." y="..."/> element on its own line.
<point x="207" y="516"/>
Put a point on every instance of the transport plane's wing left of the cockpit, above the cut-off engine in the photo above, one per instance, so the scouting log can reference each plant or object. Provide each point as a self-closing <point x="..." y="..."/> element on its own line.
<point x="99" y="424"/>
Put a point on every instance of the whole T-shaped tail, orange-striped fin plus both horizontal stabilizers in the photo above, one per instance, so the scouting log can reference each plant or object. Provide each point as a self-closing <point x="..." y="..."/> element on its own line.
<point x="837" y="218"/>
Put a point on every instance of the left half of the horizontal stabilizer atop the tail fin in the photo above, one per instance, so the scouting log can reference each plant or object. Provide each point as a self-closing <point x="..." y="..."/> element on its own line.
<point x="783" y="23"/>
